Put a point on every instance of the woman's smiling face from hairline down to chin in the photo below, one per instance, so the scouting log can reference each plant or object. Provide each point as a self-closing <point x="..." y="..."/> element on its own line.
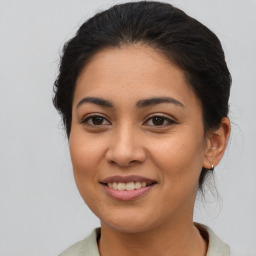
<point x="137" y="141"/>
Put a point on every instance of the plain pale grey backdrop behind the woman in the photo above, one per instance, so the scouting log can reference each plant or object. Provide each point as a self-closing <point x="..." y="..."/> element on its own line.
<point x="41" y="212"/>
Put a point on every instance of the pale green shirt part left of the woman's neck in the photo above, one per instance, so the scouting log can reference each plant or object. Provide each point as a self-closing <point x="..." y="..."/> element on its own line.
<point x="85" y="247"/>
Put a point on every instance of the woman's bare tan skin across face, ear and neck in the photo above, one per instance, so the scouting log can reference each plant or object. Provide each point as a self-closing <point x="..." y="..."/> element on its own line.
<point x="126" y="141"/>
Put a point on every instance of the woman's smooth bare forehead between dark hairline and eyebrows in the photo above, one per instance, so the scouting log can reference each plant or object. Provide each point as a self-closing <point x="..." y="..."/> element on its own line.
<point x="132" y="71"/>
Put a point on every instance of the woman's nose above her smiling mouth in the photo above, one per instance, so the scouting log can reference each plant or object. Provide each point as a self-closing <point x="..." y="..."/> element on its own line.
<point x="126" y="148"/>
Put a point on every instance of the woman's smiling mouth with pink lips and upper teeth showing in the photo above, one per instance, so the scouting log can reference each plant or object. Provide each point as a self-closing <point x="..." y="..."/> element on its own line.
<point x="127" y="187"/>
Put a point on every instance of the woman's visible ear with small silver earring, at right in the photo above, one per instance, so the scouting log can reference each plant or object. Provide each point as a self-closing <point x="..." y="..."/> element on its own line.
<point x="216" y="143"/>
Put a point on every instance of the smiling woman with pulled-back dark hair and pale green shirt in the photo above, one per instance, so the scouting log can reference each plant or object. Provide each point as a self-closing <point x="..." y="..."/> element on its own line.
<point x="143" y="91"/>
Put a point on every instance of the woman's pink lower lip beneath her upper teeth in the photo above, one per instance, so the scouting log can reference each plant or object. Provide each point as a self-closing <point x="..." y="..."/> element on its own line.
<point x="126" y="195"/>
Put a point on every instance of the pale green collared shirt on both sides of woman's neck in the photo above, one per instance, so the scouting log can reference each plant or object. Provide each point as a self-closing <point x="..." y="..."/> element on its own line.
<point x="89" y="247"/>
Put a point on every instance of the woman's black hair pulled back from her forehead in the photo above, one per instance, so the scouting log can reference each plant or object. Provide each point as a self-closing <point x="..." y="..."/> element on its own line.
<point x="180" y="38"/>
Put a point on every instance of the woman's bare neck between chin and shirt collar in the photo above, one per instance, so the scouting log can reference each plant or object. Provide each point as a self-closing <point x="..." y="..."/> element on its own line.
<point x="176" y="240"/>
